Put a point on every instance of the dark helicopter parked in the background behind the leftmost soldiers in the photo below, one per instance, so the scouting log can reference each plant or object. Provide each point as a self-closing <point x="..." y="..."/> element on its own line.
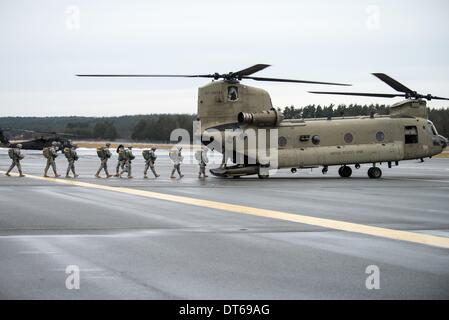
<point x="45" y="140"/>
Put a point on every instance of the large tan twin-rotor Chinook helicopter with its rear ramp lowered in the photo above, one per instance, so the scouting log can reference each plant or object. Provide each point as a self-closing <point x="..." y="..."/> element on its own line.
<point x="228" y="104"/>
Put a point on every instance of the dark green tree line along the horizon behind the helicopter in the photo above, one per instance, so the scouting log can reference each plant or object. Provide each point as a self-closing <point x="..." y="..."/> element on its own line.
<point x="157" y="127"/>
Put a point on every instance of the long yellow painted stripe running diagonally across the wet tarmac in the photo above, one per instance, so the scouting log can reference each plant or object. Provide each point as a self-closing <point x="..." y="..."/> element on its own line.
<point x="419" y="238"/>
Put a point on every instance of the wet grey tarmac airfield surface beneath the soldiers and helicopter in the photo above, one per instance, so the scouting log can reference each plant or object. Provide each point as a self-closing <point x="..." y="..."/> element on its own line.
<point x="137" y="241"/>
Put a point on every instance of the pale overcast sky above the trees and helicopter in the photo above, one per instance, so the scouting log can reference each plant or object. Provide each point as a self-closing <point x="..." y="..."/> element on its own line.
<point x="43" y="44"/>
